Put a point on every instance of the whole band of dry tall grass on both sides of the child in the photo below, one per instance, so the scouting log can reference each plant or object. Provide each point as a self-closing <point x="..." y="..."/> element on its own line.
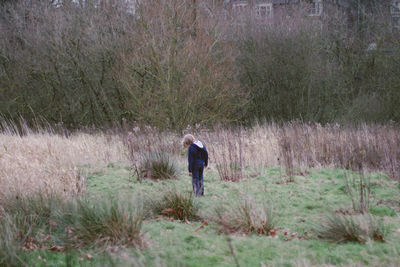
<point x="47" y="162"/>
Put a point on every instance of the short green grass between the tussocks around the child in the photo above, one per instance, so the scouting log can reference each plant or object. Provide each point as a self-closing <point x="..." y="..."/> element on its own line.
<point x="297" y="207"/>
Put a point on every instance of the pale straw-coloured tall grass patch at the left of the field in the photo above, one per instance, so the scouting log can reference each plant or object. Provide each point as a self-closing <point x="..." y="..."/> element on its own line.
<point x="46" y="162"/>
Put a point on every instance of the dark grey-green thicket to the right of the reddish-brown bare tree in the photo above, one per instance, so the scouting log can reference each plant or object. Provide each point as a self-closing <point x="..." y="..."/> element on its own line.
<point x="295" y="70"/>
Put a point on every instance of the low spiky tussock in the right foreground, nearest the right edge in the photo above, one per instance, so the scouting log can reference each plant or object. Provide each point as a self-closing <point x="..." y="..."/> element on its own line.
<point x="339" y="228"/>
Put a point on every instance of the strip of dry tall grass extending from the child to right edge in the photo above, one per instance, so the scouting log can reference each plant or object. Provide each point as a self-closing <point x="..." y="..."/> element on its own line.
<point x="296" y="146"/>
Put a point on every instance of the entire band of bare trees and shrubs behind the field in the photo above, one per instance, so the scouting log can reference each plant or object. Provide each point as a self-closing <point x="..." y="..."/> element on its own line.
<point x="174" y="63"/>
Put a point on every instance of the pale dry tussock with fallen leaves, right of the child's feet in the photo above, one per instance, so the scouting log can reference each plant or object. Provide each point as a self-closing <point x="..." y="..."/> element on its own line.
<point x="246" y="217"/>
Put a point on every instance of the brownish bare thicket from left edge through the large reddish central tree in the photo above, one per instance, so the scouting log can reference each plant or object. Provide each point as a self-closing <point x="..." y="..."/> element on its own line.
<point x="84" y="64"/>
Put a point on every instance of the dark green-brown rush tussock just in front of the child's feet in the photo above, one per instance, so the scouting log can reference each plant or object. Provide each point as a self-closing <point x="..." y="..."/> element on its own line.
<point x="180" y="206"/>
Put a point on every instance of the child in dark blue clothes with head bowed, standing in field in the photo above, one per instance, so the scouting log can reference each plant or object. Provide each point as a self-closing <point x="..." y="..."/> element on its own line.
<point x="197" y="161"/>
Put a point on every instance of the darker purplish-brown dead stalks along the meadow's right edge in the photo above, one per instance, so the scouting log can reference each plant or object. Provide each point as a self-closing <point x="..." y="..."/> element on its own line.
<point x="363" y="147"/>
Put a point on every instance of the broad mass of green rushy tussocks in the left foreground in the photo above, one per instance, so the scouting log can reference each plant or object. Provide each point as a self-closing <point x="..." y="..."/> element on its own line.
<point x="54" y="223"/>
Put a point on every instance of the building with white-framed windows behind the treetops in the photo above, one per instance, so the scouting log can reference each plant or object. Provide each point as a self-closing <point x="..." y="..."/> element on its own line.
<point x="354" y="13"/>
